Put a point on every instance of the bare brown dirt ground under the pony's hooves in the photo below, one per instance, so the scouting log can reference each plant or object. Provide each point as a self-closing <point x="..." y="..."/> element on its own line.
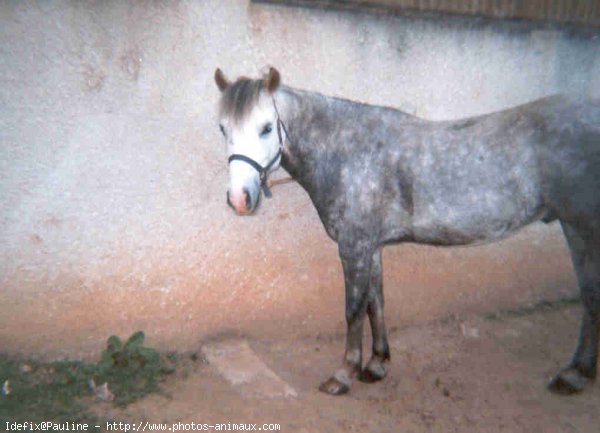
<point x="464" y="374"/>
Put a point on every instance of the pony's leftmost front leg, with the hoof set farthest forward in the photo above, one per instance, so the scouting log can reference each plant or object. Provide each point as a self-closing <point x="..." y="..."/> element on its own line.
<point x="357" y="270"/>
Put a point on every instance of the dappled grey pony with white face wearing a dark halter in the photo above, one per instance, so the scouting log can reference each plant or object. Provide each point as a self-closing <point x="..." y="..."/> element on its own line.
<point x="379" y="176"/>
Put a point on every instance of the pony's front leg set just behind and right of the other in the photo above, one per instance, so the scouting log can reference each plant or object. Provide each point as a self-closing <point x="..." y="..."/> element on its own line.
<point x="376" y="368"/>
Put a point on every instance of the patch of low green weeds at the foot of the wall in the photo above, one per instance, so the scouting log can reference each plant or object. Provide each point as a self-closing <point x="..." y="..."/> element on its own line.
<point x="61" y="391"/>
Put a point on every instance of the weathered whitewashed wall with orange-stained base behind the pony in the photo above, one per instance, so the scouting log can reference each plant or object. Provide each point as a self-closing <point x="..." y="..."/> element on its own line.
<point x="113" y="172"/>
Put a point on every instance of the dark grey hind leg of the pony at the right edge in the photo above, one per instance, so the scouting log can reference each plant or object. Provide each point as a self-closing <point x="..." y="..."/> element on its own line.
<point x="585" y="254"/>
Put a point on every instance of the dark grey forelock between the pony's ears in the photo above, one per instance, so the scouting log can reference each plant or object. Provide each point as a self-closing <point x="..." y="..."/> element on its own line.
<point x="239" y="98"/>
